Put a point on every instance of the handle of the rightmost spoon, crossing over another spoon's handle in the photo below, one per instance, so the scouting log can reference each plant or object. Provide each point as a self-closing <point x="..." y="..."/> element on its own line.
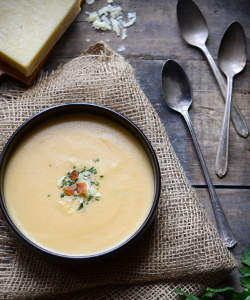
<point x="221" y="164"/>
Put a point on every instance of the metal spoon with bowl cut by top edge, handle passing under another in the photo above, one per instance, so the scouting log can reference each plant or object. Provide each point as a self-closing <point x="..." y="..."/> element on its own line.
<point x="194" y="30"/>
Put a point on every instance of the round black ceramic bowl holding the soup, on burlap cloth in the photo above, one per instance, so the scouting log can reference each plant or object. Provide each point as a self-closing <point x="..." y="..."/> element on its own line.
<point x="69" y="109"/>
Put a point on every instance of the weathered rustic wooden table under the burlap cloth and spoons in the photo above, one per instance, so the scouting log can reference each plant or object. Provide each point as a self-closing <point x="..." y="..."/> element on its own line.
<point x="154" y="38"/>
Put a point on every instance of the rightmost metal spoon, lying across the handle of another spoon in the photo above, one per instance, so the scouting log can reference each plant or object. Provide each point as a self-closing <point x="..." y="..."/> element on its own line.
<point x="232" y="59"/>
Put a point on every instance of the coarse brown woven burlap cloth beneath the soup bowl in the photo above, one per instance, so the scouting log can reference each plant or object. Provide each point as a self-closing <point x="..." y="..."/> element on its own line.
<point x="181" y="250"/>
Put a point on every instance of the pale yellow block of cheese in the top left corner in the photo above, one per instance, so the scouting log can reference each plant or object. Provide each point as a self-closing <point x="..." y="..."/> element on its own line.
<point x="30" y="28"/>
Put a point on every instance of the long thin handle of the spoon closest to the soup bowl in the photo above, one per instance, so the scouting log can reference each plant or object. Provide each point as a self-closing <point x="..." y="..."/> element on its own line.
<point x="223" y="227"/>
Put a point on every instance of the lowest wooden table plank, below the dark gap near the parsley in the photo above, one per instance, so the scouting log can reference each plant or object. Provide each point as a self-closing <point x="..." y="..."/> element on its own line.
<point x="236" y="206"/>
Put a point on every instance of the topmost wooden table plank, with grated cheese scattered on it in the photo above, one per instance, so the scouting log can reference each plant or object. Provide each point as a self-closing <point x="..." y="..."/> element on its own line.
<point x="156" y="30"/>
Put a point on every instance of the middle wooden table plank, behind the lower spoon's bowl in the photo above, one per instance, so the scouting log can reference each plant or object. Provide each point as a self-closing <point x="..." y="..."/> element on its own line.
<point x="206" y="114"/>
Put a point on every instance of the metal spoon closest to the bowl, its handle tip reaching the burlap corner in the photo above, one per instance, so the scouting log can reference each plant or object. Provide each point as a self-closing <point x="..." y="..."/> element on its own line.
<point x="178" y="95"/>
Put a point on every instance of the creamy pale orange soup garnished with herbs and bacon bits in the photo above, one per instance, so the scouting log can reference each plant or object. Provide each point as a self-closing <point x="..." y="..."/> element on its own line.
<point x="79" y="185"/>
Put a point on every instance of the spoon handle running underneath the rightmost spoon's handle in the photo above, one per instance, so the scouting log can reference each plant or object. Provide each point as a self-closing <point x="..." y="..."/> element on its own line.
<point x="236" y="115"/>
